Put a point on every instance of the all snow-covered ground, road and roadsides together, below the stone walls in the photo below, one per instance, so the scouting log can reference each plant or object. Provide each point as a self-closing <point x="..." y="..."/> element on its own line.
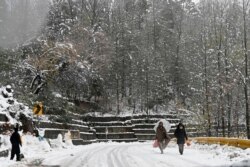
<point x="124" y="155"/>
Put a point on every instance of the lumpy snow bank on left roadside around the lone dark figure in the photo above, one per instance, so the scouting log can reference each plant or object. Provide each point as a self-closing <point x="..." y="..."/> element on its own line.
<point x="35" y="150"/>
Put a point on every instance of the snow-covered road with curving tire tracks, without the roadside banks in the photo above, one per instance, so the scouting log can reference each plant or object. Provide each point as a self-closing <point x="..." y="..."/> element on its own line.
<point x="131" y="155"/>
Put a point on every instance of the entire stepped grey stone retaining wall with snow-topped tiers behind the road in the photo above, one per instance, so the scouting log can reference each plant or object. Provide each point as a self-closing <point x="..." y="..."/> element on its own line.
<point x="89" y="129"/>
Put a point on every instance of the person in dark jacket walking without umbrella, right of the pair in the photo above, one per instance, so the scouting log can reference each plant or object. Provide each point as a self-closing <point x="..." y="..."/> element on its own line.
<point x="180" y="134"/>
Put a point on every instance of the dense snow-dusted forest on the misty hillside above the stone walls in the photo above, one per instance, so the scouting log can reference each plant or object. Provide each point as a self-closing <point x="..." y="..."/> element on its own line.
<point x="142" y="55"/>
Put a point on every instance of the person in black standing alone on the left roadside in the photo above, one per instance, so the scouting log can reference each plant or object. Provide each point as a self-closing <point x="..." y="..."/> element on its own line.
<point x="15" y="140"/>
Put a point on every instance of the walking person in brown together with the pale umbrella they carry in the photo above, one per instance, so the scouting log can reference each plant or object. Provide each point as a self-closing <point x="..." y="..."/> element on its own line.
<point x="162" y="137"/>
